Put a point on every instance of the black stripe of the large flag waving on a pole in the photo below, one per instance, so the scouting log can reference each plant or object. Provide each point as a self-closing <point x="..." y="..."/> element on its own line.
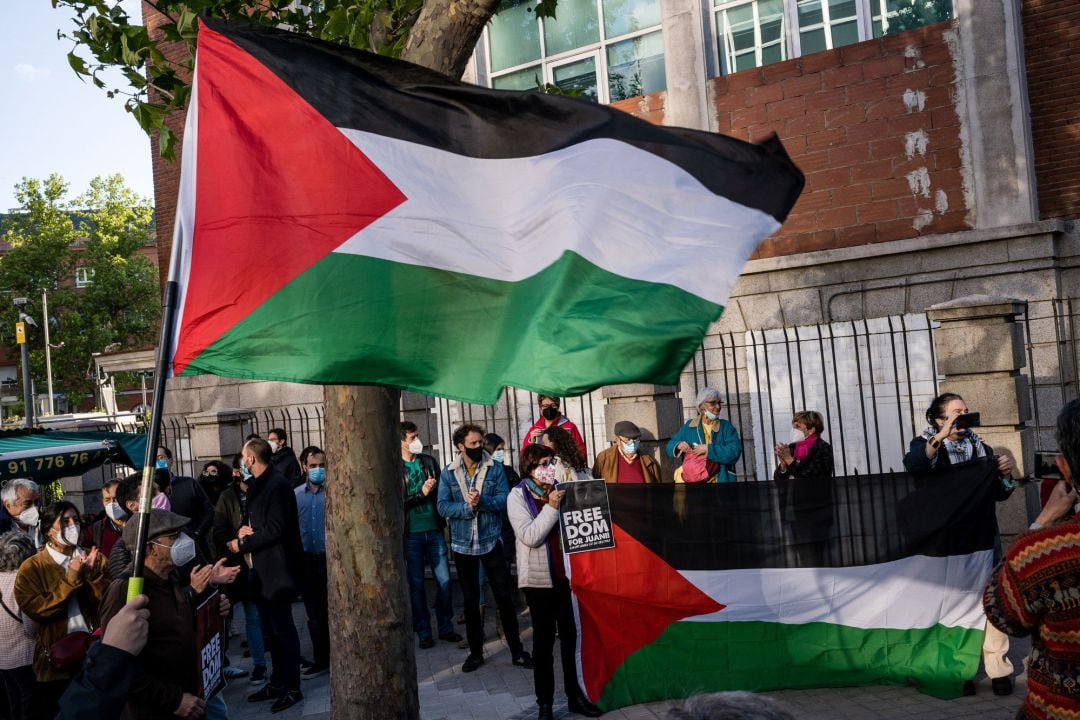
<point x="375" y="94"/>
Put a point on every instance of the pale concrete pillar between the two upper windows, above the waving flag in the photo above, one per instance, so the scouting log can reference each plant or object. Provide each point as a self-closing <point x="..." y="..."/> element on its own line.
<point x="686" y="103"/>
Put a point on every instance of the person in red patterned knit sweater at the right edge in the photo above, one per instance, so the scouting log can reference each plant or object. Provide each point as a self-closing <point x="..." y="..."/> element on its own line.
<point x="1036" y="591"/>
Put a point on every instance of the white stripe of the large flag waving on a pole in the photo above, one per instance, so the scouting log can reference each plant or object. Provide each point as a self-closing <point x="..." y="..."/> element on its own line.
<point x="623" y="209"/>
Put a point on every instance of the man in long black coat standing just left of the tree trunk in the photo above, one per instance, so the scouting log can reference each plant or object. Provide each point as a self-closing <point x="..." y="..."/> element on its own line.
<point x="271" y="544"/>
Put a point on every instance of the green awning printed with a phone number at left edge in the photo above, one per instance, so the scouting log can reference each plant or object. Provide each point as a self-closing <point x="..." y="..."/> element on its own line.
<point x="45" y="456"/>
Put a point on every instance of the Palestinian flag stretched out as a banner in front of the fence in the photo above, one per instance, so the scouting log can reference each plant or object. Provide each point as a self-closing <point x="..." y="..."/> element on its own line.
<point x="758" y="587"/>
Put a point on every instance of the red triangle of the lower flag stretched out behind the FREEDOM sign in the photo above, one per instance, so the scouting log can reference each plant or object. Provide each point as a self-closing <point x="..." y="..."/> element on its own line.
<point x="627" y="597"/>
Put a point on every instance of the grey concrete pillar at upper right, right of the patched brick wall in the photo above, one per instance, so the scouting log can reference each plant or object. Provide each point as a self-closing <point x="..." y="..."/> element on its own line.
<point x="992" y="102"/>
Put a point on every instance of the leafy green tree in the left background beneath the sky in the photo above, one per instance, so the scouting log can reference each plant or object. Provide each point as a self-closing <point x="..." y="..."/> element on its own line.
<point x="101" y="234"/>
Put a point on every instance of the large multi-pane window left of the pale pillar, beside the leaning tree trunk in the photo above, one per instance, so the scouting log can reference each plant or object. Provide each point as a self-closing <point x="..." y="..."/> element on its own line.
<point x="602" y="50"/>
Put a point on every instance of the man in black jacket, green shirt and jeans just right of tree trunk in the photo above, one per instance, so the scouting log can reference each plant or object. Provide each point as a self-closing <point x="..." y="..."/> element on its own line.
<point x="425" y="542"/>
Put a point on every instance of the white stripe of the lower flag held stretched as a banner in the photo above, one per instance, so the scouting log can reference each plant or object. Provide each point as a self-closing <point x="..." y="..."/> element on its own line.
<point x="910" y="593"/>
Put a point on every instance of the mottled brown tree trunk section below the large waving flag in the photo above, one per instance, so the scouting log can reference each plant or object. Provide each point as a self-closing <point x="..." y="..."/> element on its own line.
<point x="372" y="656"/>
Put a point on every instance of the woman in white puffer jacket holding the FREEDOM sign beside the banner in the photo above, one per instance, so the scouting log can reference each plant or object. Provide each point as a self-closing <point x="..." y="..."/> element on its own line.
<point x="533" y="508"/>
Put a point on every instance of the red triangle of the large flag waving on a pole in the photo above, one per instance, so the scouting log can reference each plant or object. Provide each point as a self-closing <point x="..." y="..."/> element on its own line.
<point x="278" y="188"/>
